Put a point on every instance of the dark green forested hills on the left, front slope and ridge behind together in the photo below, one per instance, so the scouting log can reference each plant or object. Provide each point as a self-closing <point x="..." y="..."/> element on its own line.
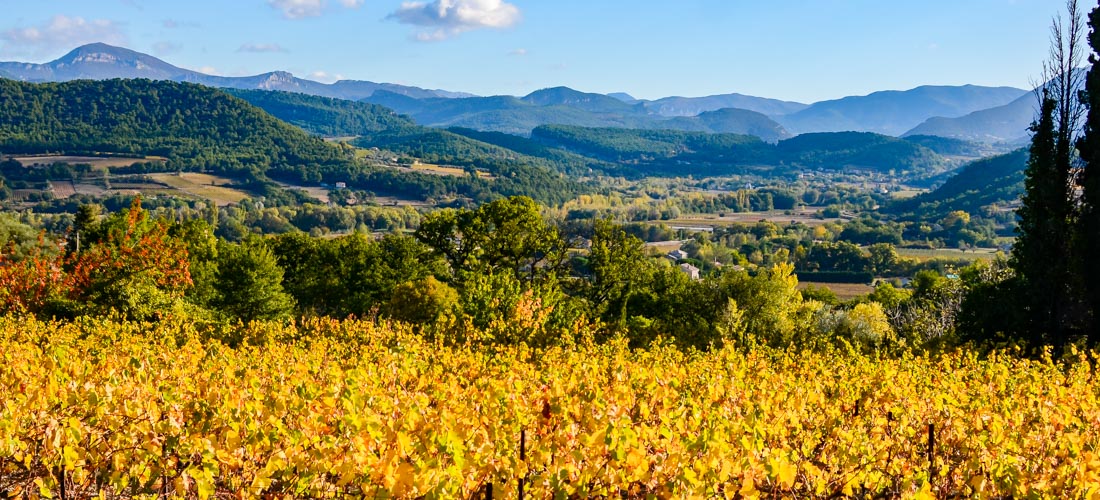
<point x="203" y="129"/>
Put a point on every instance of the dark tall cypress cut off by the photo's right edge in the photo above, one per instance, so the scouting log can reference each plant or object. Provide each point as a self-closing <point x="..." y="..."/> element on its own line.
<point x="1088" y="221"/>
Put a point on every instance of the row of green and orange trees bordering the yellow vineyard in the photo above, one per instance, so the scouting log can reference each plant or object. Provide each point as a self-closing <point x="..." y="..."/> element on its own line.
<point x="502" y="273"/>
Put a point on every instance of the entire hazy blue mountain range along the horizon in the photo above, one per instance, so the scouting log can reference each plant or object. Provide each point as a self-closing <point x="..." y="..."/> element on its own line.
<point x="971" y="113"/>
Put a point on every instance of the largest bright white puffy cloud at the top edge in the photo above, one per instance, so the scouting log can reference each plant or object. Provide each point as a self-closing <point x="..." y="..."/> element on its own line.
<point x="449" y="18"/>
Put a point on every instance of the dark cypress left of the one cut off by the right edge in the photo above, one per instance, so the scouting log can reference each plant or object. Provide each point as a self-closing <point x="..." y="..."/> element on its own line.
<point x="1041" y="253"/>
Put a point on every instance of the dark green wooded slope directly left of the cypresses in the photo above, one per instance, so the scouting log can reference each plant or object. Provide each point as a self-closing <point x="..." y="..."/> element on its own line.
<point x="996" y="181"/>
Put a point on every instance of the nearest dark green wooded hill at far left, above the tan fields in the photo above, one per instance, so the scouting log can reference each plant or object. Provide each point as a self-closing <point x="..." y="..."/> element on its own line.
<point x="194" y="127"/>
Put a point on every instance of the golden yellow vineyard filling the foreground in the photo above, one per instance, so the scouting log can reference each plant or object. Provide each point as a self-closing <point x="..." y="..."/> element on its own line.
<point x="362" y="409"/>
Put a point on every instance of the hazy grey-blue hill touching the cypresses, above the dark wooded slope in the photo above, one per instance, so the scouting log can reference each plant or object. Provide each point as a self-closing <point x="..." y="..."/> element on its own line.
<point x="1004" y="124"/>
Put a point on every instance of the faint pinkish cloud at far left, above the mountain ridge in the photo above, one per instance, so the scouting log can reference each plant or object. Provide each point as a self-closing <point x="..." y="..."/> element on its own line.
<point x="62" y="32"/>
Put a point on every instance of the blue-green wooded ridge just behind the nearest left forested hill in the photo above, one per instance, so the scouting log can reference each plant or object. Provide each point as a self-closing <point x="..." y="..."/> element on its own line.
<point x="324" y="116"/>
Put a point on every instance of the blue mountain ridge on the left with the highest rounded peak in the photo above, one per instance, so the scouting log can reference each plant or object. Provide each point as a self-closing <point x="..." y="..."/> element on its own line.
<point x="100" y="62"/>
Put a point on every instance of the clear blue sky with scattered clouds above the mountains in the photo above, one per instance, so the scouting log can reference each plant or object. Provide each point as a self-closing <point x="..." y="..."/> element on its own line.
<point x="793" y="50"/>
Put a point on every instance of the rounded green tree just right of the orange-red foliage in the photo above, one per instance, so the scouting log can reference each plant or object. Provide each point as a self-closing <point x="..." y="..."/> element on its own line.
<point x="250" y="283"/>
